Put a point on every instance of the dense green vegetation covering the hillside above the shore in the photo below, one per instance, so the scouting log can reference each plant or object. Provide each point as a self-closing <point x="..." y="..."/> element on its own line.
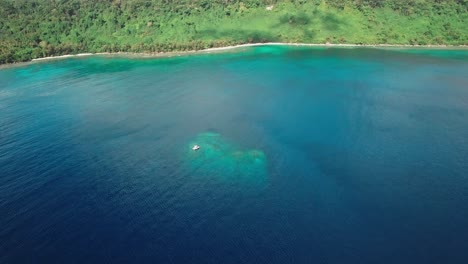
<point x="37" y="28"/>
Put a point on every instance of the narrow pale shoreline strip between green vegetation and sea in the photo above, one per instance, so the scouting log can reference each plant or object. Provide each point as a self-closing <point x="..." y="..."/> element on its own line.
<point x="233" y="47"/>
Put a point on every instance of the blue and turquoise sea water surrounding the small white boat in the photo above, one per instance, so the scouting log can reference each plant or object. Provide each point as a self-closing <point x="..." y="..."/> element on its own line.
<point x="319" y="156"/>
